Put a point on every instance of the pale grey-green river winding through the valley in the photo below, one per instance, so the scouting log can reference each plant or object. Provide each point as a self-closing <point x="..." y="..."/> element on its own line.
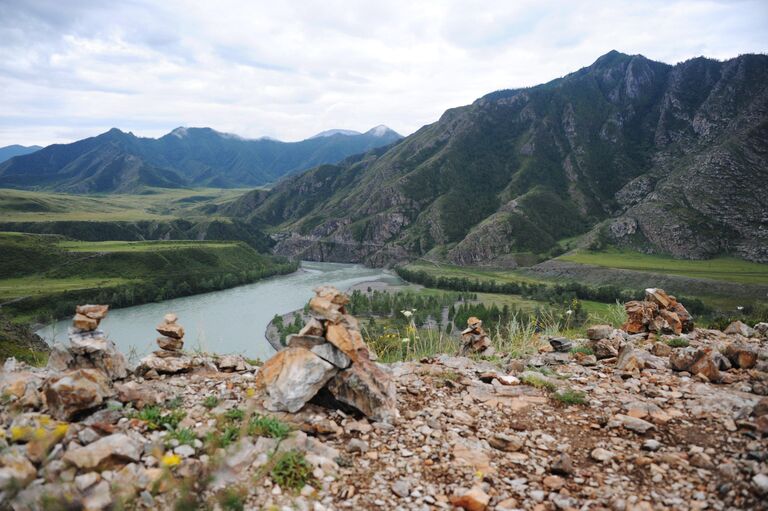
<point x="227" y="321"/>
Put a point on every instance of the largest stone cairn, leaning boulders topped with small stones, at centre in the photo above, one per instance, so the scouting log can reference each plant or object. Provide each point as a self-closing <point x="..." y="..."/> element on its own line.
<point x="328" y="356"/>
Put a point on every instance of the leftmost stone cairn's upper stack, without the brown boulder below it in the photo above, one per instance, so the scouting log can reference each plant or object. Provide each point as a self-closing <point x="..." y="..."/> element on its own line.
<point x="88" y="345"/>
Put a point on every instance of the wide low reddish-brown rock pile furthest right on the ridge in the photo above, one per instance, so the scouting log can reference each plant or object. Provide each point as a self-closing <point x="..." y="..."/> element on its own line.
<point x="659" y="313"/>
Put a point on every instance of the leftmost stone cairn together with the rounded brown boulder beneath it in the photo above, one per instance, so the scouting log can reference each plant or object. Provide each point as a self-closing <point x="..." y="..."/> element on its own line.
<point x="84" y="370"/>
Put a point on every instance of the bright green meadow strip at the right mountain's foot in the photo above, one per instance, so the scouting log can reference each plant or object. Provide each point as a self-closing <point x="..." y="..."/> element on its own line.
<point x="727" y="269"/>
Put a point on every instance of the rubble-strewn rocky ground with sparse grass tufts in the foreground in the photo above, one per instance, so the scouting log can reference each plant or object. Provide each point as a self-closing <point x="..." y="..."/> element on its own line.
<point x="614" y="424"/>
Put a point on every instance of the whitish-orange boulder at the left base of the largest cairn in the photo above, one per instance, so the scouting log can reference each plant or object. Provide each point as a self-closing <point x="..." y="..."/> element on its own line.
<point x="292" y="377"/>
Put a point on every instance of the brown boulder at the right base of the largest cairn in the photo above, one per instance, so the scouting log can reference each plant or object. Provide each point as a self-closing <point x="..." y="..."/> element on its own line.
<point x="368" y="388"/>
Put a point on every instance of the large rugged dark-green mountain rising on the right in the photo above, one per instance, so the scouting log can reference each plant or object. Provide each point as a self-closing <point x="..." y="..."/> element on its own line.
<point x="628" y="151"/>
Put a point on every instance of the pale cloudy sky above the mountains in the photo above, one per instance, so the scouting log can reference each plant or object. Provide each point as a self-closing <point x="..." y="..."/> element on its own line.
<point x="288" y="70"/>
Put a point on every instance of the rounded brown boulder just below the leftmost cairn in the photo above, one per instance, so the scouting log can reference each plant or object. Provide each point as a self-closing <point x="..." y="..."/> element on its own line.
<point x="70" y="393"/>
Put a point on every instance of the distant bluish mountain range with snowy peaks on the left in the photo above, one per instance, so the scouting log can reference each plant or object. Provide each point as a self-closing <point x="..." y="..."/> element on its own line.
<point x="116" y="161"/>
